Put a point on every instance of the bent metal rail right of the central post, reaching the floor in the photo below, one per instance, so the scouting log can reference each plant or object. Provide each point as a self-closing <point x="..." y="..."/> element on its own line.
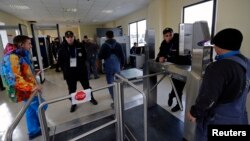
<point x="144" y="101"/>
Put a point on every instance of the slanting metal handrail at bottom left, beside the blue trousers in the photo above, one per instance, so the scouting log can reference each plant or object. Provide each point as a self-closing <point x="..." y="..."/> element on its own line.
<point x="12" y="127"/>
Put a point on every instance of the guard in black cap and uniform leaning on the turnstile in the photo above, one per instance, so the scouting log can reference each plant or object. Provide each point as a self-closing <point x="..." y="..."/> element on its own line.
<point x="169" y="51"/>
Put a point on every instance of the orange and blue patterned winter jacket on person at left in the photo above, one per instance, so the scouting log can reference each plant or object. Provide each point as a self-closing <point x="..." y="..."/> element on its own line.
<point x="17" y="72"/>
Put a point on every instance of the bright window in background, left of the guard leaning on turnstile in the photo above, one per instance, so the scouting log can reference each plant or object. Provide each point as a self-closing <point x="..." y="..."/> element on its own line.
<point x="137" y="32"/>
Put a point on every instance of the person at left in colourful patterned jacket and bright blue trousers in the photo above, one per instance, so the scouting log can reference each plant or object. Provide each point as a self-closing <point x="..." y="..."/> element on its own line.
<point x="19" y="77"/>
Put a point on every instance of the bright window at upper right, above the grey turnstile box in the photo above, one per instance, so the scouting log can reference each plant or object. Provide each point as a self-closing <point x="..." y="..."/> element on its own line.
<point x="202" y="11"/>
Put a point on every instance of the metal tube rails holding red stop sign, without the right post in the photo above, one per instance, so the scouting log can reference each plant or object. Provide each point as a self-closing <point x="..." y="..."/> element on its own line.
<point x="42" y="117"/>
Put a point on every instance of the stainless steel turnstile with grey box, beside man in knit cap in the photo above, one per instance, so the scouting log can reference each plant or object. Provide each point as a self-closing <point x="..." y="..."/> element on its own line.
<point x="190" y="36"/>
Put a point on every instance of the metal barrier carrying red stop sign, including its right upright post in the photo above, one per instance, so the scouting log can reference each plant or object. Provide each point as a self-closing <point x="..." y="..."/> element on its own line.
<point x="118" y="120"/>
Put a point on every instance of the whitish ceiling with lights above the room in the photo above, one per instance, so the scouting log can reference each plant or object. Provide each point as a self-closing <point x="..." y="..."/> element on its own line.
<point x="71" y="12"/>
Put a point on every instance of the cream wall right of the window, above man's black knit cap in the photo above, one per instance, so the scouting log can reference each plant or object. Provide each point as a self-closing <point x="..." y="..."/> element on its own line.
<point x="235" y="14"/>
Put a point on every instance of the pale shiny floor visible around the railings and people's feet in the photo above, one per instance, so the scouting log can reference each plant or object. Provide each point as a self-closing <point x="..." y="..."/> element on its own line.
<point x="58" y="113"/>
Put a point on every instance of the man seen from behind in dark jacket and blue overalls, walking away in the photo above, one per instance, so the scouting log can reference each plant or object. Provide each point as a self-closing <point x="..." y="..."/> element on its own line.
<point x="112" y="53"/>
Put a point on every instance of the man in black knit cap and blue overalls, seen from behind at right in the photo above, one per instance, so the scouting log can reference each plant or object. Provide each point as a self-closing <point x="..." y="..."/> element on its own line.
<point x="223" y="93"/>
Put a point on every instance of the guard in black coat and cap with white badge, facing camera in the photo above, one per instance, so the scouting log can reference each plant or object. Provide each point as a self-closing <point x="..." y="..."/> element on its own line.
<point x="72" y="60"/>
